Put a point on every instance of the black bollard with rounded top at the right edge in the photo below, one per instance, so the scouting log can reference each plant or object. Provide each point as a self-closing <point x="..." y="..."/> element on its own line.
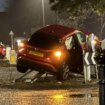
<point x="100" y="59"/>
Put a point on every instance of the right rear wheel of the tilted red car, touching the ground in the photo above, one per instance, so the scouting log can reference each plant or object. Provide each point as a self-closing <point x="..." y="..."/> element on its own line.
<point x="63" y="73"/>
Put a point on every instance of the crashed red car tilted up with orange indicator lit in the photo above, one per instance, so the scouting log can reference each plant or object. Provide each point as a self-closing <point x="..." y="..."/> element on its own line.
<point x="55" y="49"/>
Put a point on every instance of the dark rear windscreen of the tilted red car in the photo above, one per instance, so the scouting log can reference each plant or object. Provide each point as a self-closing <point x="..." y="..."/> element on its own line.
<point x="43" y="40"/>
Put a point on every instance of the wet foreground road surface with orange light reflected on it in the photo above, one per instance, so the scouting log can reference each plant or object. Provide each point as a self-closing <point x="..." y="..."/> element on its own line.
<point x="49" y="97"/>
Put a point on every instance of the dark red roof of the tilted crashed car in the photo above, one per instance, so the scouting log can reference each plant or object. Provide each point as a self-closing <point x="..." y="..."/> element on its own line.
<point x="57" y="30"/>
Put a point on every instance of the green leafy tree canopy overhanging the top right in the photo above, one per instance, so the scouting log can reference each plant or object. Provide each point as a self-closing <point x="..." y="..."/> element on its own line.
<point x="79" y="7"/>
